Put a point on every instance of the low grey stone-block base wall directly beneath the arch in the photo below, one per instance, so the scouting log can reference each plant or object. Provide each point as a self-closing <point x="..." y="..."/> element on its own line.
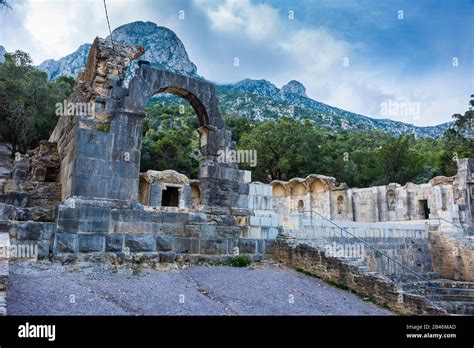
<point x="121" y="226"/>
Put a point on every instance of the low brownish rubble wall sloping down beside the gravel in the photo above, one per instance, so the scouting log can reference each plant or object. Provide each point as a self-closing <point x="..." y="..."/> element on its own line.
<point x="310" y="259"/>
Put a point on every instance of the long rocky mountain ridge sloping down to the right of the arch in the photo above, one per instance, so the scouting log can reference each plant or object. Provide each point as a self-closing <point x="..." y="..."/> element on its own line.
<point x="260" y="99"/>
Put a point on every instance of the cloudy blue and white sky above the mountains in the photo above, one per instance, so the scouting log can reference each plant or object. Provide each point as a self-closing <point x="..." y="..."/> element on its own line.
<point x="406" y="60"/>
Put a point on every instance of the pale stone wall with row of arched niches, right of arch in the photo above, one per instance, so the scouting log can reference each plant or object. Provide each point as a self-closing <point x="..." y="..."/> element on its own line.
<point x="319" y="197"/>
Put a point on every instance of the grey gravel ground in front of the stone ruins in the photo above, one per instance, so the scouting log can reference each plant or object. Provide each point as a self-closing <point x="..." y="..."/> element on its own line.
<point x="266" y="289"/>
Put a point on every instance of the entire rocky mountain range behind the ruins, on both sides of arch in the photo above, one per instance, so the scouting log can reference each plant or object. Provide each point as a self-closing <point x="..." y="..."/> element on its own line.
<point x="255" y="99"/>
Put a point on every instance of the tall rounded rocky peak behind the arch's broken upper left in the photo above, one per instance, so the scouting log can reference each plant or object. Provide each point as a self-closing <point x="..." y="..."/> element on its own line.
<point x="162" y="48"/>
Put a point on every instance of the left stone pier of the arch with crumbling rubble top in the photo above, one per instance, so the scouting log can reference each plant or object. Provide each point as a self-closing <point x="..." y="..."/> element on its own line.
<point x="86" y="142"/>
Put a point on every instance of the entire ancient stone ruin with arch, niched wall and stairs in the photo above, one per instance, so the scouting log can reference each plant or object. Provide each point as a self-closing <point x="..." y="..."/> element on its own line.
<point x="82" y="192"/>
